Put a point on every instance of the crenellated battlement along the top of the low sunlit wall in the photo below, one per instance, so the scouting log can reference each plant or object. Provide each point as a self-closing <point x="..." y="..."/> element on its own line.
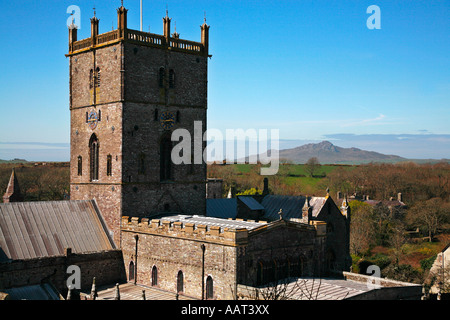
<point x="187" y="230"/>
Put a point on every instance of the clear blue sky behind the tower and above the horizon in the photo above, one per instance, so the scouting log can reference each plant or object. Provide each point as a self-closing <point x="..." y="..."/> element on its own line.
<point x="311" y="69"/>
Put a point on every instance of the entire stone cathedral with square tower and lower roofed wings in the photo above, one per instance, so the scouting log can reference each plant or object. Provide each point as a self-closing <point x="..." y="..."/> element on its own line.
<point x="129" y="91"/>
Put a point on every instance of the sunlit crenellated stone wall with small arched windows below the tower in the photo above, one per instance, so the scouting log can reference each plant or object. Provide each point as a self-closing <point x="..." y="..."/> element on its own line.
<point x="172" y="248"/>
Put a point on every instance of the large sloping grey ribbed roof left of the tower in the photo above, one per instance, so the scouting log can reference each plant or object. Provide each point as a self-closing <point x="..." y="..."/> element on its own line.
<point x="45" y="228"/>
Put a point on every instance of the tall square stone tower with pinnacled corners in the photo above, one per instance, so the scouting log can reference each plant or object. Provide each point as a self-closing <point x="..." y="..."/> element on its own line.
<point x="129" y="90"/>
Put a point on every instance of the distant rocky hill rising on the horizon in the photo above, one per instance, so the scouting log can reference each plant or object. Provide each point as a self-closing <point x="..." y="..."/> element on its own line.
<point x="328" y="153"/>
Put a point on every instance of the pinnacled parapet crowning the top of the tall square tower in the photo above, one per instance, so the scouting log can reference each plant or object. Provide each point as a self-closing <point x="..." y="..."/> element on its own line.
<point x="123" y="34"/>
